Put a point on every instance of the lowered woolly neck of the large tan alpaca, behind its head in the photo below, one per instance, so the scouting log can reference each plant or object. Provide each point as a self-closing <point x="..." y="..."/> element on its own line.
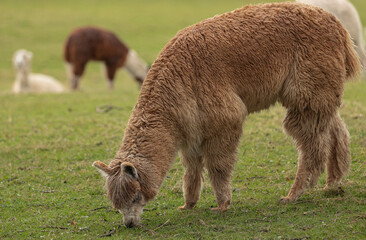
<point x="151" y="147"/>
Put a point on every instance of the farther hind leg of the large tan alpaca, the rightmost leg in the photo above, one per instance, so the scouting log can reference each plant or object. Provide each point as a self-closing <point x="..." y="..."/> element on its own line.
<point x="339" y="160"/>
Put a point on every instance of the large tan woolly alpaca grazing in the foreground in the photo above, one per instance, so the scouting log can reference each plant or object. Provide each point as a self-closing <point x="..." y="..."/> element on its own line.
<point x="210" y="76"/>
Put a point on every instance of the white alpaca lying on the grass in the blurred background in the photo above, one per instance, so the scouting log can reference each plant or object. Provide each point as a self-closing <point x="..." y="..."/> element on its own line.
<point x="27" y="82"/>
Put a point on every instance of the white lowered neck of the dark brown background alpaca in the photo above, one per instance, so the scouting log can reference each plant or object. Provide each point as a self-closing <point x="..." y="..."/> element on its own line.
<point x="135" y="66"/>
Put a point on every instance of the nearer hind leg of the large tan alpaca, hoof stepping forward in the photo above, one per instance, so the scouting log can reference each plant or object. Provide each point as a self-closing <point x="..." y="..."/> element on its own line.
<point x="311" y="134"/>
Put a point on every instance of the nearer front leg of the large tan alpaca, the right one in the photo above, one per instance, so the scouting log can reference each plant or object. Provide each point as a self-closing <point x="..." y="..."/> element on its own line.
<point x="220" y="150"/>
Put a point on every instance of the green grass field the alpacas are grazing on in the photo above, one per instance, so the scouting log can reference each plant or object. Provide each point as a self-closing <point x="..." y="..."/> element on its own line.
<point x="48" y="189"/>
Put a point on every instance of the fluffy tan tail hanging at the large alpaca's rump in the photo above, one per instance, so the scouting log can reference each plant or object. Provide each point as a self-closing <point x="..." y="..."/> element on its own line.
<point x="353" y="65"/>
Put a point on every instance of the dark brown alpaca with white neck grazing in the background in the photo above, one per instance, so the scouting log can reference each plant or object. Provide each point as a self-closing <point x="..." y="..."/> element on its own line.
<point x="90" y="43"/>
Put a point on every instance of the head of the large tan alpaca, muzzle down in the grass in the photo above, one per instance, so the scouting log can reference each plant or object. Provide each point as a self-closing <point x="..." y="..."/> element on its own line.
<point x="124" y="190"/>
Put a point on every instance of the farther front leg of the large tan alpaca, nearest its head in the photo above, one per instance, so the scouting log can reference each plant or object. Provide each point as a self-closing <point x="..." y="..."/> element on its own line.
<point x="192" y="179"/>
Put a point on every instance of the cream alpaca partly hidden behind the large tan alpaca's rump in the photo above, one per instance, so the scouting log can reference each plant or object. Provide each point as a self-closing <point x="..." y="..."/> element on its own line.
<point x="348" y="16"/>
